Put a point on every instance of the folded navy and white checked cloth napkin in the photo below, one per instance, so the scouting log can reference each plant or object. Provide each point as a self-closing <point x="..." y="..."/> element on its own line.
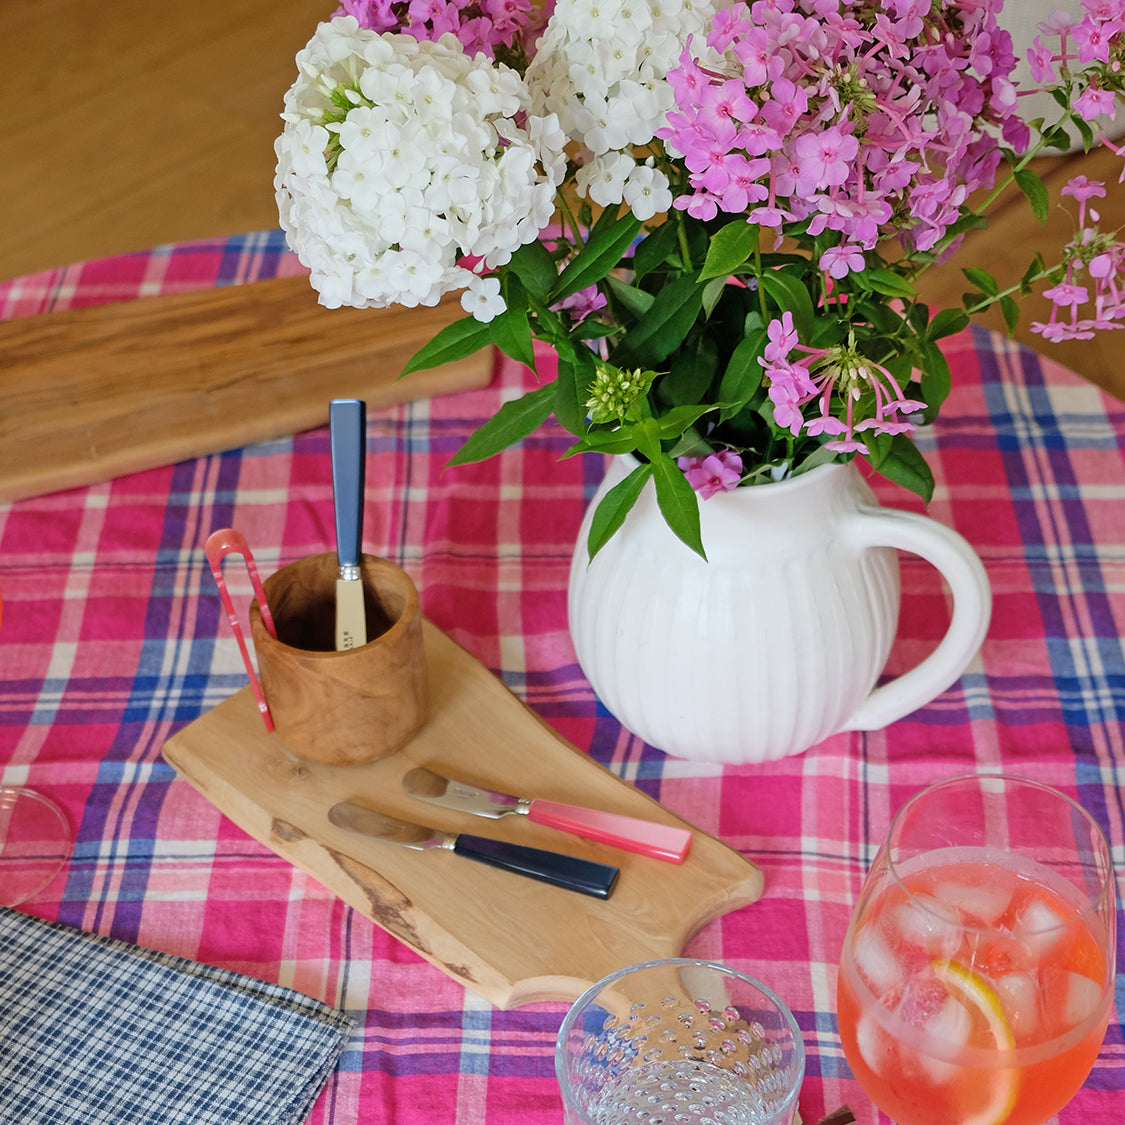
<point x="98" y="1032"/>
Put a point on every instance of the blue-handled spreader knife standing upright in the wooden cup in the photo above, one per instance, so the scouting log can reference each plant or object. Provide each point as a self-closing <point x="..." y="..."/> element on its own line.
<point x="348" y="430"/>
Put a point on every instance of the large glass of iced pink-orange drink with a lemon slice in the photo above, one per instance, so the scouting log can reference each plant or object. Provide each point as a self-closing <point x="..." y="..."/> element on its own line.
<point x="976" y="983"/>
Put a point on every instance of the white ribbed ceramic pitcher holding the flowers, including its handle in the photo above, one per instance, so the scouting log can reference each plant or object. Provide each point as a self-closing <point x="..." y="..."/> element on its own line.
<point x="777" y="641"/>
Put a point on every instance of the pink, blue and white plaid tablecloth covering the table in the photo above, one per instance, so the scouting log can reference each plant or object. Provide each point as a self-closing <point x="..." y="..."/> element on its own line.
<point x="114" y="638"/>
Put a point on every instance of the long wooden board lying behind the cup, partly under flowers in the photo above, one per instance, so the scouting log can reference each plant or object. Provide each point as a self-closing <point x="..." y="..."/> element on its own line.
<point x="94" y="393"/>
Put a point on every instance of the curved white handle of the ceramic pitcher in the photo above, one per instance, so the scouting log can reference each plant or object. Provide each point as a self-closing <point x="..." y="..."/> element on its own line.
<point x="973" y="608"/>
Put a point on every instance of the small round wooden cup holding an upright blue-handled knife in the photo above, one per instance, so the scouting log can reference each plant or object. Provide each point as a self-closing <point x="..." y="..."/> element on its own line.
<point x="349" y="708"/>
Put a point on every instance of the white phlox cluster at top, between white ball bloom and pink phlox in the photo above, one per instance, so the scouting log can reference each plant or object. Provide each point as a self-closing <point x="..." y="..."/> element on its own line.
<point x="600" y="67"/>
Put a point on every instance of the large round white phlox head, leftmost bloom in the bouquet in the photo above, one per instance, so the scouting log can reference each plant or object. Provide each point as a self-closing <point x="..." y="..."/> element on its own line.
<point x="401" y="158"/>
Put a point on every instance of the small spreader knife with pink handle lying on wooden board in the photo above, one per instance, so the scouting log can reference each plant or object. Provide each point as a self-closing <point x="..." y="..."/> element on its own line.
<point x="646" y="838"/>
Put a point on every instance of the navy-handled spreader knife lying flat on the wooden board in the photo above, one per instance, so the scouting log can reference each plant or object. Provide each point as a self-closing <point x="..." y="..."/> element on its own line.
<point x="570" y="872"/>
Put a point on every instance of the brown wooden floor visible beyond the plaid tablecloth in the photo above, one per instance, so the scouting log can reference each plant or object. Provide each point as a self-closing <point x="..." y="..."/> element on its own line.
<point x="127" y="127"/>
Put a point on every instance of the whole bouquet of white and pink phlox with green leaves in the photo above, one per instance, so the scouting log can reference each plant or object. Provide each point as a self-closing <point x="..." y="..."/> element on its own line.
<point x="715" y="217"/>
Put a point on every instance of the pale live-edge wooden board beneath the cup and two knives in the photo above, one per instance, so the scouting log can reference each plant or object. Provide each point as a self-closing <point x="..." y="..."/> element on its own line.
<point x="512" y="940"/>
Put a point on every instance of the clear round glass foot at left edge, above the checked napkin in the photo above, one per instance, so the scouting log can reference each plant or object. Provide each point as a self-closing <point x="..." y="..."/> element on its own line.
<point x="35" y="842"/>
